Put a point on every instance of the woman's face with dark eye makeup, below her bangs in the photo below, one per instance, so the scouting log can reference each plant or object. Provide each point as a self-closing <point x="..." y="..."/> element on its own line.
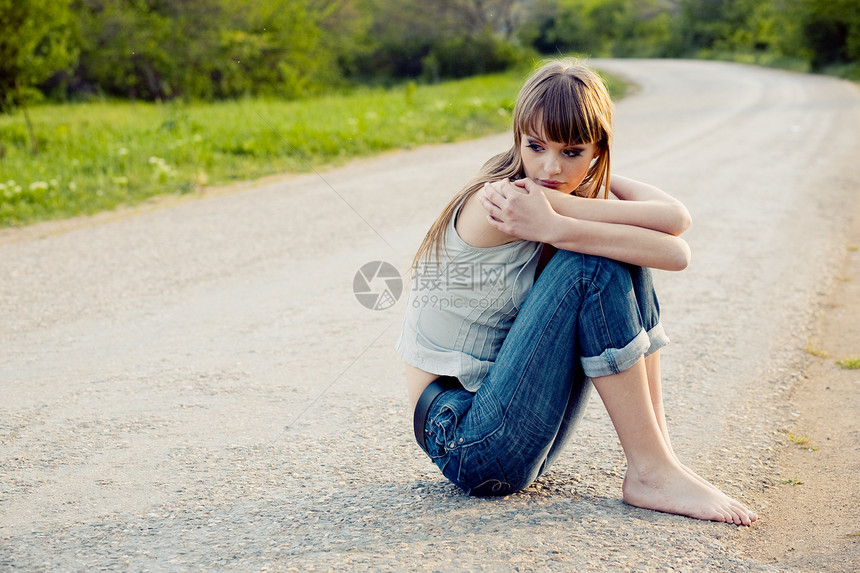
<point x="555" y="165"/>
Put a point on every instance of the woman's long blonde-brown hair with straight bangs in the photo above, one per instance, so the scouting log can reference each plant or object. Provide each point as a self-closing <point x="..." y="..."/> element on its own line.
<point x="567" y="103"/>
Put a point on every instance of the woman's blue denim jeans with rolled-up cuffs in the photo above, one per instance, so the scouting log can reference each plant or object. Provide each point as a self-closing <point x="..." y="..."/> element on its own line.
<point x="585" y="317"/>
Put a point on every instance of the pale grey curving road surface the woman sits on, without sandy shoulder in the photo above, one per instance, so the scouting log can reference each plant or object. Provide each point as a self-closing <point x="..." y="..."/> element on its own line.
<point x="196" y="387"/>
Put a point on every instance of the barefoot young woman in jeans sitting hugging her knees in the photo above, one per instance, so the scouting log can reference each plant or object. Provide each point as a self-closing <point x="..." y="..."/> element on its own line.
<point x="532" y="283"/>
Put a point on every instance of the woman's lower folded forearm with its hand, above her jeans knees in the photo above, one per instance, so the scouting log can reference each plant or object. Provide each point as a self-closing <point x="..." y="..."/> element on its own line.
<point x="524" y="211"/>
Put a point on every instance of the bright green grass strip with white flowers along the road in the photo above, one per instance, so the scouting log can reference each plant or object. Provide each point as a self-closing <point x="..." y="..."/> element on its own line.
<point x="97" y="156"/>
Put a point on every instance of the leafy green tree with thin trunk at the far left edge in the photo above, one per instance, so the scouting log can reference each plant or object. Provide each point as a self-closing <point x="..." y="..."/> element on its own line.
<point x="34" y="45"/>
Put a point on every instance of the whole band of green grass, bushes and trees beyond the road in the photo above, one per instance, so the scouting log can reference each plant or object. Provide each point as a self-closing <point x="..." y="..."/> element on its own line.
<point x="104" y="102"/>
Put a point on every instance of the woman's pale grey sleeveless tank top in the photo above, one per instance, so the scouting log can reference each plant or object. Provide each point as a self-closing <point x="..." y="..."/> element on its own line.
<point x="461" y="307"/>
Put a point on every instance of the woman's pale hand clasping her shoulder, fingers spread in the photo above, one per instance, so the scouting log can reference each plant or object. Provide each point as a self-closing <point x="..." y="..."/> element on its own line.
<point x="519" y="209"/>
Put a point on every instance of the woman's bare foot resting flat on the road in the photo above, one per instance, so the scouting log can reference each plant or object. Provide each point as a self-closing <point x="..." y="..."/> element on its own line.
<point x="673" y="489"/>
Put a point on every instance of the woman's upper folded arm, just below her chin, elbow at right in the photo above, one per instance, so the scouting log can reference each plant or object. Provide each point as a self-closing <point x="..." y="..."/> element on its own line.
<point x="641" y="205"/>
